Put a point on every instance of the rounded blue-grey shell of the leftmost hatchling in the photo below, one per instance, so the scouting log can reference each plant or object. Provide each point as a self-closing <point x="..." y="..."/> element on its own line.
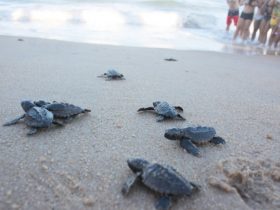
<point x="38" y="117"/>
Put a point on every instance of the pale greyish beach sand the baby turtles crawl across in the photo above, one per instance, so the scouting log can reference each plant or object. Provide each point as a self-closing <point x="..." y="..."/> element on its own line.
<point x="83" y="165"/>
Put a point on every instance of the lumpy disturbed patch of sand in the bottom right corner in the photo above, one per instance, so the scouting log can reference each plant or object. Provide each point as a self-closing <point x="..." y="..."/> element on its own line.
<point x="257" y="182"/>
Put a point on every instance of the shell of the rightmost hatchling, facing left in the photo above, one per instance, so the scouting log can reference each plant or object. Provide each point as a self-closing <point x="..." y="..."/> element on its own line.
<point x="200" y="134"/>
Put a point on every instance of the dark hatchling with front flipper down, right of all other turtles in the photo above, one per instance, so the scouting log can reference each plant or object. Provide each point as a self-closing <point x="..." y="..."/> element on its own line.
<point x="193" y="135"/>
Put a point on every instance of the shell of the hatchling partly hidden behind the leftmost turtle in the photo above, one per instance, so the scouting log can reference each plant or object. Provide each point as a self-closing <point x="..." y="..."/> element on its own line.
<point x="64" y="110"/>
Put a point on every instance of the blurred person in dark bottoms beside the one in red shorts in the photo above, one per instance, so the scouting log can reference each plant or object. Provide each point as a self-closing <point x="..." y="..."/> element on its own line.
<point x="245" y="20"/>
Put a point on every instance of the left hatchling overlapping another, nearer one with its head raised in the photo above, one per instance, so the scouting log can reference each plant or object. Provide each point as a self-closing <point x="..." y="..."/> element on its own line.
<point x="35" y="117"/>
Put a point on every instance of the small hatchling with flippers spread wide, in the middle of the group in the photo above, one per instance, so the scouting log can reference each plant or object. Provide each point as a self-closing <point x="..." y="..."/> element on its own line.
<point x="164" y="111"/>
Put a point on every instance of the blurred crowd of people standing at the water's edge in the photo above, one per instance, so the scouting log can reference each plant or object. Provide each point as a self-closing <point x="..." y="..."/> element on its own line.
<point x="263" y="14"/>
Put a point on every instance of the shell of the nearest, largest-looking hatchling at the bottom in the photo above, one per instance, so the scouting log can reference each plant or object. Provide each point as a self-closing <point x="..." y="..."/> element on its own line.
<point x="165" y="180"/>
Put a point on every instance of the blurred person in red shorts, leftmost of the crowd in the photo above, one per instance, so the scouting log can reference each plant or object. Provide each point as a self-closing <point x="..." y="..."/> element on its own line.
<point x="233" y="13"/>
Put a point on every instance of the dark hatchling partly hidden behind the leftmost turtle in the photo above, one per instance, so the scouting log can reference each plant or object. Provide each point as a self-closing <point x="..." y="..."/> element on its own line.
<point x="63" y="111"/>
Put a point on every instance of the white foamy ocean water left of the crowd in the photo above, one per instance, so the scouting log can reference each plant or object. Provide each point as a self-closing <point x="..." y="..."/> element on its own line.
<point x="175" y="24"/>
